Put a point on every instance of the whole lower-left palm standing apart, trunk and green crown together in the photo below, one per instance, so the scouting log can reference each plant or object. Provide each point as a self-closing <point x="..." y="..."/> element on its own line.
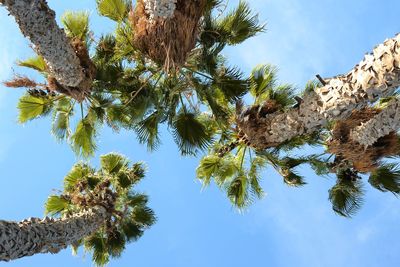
<point x="97" y="210"/>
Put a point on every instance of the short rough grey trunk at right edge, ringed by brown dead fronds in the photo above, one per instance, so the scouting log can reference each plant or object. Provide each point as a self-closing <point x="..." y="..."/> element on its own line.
<point x="387" y="121"/>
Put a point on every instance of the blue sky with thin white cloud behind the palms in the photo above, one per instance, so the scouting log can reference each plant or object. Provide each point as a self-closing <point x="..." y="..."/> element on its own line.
<point x="289" y="227"/>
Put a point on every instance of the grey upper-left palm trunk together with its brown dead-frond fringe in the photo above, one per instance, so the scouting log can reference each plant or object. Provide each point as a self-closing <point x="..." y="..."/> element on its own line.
<point x="66" y="59"/>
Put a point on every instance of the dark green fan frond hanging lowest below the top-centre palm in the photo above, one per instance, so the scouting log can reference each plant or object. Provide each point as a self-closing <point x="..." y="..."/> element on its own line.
<point x="189" y="133"/>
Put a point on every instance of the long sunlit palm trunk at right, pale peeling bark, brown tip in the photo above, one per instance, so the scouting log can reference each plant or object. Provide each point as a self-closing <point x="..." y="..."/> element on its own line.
<point x="377" y="75"/>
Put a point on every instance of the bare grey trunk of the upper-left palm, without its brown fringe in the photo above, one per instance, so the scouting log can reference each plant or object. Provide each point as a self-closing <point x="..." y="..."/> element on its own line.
<point x="37" y="22"/>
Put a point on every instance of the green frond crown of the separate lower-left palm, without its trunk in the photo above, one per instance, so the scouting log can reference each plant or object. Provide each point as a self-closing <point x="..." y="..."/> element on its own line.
<point x="110" y="187"/>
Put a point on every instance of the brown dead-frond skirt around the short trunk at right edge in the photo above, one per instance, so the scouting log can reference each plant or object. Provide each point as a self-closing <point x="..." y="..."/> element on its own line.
<point x="363" y="159"/>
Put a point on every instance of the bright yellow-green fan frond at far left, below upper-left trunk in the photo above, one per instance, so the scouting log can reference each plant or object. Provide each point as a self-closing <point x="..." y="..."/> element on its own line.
<point x="31" y="107"/>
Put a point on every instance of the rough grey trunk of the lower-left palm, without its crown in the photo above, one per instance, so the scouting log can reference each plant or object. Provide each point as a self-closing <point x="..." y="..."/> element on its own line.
<point x="34" y="236"/>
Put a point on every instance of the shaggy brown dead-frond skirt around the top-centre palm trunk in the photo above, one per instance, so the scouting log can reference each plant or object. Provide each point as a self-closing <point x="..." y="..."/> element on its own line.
<point x="167" y="42"/>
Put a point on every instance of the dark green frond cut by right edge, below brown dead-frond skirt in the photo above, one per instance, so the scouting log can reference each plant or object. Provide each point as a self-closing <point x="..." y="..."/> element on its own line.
<point x="386" y="178"/>
